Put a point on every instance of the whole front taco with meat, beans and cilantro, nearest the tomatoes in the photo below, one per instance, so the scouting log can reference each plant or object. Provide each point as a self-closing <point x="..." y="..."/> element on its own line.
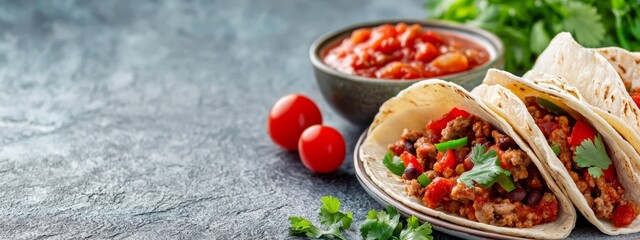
<point x="438" y="149"/>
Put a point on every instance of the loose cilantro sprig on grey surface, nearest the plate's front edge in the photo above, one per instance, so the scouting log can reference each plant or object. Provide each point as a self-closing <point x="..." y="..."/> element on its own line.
<point x="386" y="225"/>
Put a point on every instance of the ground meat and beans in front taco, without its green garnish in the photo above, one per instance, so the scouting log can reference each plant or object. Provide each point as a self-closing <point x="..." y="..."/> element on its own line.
<point x="531" y="203"/>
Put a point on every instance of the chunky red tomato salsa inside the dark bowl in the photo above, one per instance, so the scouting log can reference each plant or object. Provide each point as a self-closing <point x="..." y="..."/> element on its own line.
<point x="404" y="52"/>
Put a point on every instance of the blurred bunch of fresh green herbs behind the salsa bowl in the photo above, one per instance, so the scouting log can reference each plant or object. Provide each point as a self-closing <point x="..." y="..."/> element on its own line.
<point x="527" y="26"/>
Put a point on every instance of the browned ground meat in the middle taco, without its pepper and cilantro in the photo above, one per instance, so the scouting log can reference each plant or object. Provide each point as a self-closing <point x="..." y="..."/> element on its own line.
<point x="602" y="196"/>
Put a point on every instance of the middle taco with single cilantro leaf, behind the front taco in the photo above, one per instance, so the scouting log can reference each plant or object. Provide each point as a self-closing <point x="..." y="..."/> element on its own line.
<point x="584" y="154"/>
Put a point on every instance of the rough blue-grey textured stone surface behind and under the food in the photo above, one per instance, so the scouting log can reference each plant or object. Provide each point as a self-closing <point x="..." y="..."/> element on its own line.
<point x="146" y="119"/>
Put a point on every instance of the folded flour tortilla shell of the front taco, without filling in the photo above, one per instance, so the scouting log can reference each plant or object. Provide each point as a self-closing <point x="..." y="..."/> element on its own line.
<point x="412" y="108"/>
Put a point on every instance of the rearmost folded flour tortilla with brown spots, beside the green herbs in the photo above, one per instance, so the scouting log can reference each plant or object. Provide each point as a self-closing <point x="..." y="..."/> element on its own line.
<point x="596" y="80"/>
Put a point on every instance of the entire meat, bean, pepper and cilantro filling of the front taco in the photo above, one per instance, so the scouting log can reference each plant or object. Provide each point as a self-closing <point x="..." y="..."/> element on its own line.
<point x="462" y="164"/>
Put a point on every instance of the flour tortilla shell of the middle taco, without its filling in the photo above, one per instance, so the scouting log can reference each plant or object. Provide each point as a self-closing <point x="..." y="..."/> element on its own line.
<point x="505" y="93"/>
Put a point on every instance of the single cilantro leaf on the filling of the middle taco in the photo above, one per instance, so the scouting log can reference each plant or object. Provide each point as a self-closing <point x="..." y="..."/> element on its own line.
<point x="592" y="155"/>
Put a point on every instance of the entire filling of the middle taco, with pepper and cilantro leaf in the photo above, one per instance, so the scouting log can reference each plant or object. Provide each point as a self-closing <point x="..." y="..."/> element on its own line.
<point x="584" y="155"/>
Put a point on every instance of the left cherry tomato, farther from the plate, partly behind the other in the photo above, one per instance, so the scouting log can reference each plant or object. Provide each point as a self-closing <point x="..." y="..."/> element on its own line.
<point x="289" y="117"/>
